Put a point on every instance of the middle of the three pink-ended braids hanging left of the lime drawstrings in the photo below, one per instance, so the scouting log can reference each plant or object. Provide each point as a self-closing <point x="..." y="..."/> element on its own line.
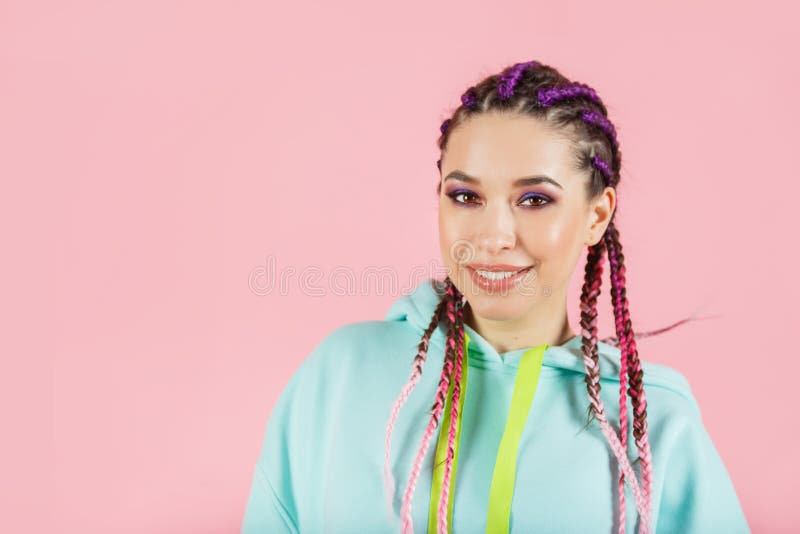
<point x="436" y="409"/>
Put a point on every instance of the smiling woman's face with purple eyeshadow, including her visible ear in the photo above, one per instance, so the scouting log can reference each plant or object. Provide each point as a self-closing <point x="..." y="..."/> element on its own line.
<point x="510" y="196"/>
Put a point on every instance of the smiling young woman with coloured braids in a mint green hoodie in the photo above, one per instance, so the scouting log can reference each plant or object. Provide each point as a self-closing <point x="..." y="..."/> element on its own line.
<point x="518" y="404"/>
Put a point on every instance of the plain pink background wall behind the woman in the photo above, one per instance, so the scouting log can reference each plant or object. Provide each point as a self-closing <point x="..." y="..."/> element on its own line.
<point x="154" y="155"/>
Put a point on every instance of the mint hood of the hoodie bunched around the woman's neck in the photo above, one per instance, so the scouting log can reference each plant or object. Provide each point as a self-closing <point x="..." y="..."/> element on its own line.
<point x="416" y="310"/>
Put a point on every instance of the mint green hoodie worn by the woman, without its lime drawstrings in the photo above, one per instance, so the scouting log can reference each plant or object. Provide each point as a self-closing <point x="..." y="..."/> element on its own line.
<point x="321" y="464"/>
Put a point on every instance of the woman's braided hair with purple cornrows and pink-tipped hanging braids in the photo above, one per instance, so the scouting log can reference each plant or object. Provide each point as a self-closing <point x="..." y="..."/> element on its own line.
<point x="534" y="89"/>
